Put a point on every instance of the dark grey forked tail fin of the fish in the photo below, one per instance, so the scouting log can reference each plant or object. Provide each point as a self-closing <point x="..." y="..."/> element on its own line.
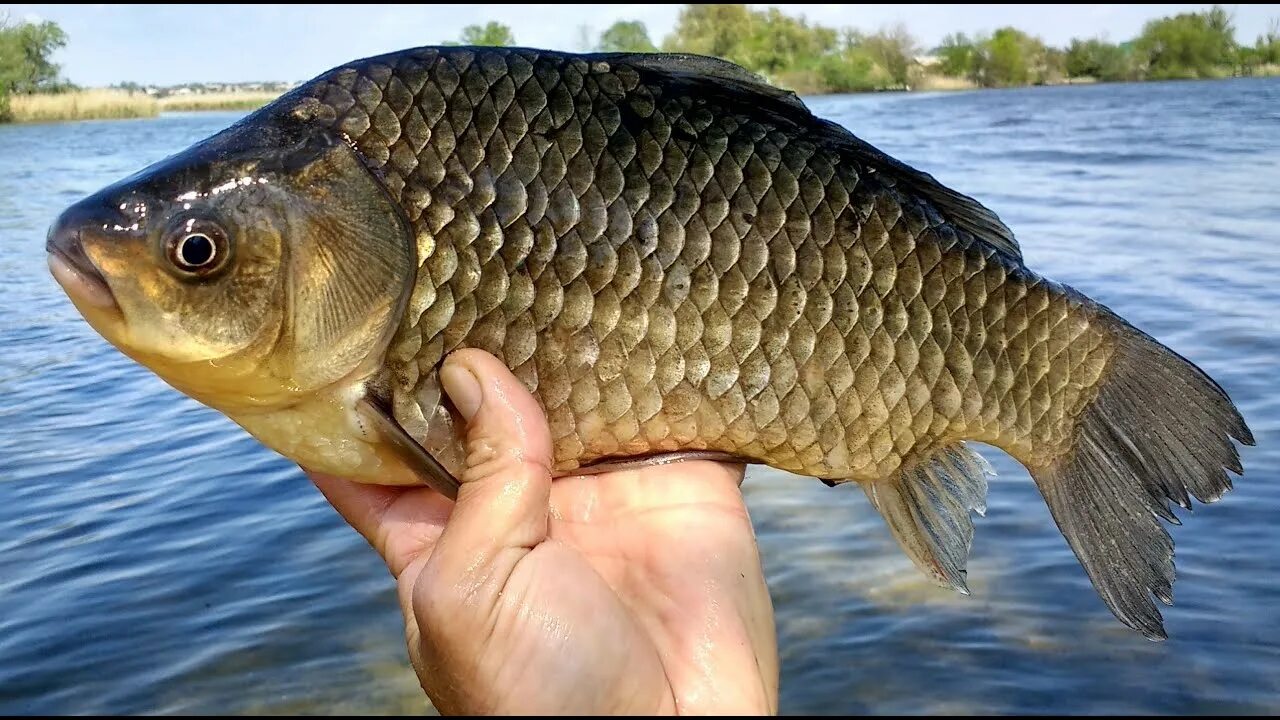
<point x="1158" y="430"/>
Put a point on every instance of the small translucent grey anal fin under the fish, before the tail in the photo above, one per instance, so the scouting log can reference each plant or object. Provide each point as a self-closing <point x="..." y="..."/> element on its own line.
<point x="927" y="508"/>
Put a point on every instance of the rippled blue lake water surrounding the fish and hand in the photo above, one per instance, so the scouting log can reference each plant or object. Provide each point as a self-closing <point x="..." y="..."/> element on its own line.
<point x="156" y="559"/>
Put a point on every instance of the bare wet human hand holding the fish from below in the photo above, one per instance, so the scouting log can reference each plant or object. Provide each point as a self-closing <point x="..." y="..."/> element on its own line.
<point x="625" y="593"/>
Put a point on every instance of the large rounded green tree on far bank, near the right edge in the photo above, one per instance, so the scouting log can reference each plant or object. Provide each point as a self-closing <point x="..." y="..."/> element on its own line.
<point x="1188" y="45"/>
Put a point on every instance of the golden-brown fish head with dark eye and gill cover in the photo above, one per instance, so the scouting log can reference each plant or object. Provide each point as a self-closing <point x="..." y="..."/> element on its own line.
<point x="252" y="271"/>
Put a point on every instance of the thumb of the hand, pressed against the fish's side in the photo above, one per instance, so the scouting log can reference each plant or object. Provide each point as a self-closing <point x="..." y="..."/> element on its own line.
<point x="504" y="500"/>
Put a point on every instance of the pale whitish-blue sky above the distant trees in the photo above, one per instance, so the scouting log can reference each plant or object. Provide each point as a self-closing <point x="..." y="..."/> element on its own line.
<point x="176" y="44"/>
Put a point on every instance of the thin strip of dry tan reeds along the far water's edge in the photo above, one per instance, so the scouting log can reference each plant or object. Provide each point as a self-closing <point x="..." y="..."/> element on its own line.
<point x="121" y="106"/>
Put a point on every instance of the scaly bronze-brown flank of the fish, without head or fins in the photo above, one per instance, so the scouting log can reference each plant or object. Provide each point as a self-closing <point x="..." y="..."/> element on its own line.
<point x="743" y="227"/>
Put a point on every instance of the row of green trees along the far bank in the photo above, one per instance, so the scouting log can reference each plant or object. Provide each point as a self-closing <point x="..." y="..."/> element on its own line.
<point x="811" y="58"/>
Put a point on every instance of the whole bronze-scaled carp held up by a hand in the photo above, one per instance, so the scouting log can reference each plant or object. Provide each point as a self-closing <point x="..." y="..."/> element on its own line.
<point x="680" y="262"/>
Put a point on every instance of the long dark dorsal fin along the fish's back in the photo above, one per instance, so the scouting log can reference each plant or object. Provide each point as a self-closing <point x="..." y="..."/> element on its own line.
<point x="735" y="84"/>
